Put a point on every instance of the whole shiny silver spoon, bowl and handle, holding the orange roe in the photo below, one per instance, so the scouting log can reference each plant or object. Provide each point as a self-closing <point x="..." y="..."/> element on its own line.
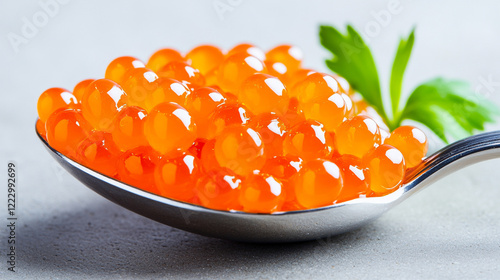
<point x="284" y="226"/>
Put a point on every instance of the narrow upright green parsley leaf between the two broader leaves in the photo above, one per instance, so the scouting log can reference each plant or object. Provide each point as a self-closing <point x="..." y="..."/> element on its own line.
<point x="398" y="69"/>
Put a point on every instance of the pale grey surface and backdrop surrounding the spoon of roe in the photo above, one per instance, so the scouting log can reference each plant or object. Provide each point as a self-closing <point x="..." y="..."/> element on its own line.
<point x="450" y="230"/>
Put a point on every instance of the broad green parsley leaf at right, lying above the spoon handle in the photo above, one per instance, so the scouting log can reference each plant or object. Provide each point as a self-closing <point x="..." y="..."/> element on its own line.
<point x="448" y="106"/>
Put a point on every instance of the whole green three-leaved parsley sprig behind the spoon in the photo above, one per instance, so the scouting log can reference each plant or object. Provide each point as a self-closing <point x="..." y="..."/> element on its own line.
<point x="448" y="107"/>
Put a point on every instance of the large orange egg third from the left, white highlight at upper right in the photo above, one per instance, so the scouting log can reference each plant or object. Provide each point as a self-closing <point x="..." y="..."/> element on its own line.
<point x="103" y="99"/>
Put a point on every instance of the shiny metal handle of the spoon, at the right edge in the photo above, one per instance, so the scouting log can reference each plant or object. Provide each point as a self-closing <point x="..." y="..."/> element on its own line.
<point x="452" y="158"/>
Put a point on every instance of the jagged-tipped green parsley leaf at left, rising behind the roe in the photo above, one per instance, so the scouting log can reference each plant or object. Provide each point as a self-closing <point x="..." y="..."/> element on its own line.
<point x="353" y="61"/>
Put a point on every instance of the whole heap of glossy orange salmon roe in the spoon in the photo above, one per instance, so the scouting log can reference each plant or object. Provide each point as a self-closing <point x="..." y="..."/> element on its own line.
<point x="238" y="131"/>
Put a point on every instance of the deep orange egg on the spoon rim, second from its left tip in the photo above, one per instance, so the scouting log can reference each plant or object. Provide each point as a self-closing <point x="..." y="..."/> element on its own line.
<point x="98" y="152"/>
